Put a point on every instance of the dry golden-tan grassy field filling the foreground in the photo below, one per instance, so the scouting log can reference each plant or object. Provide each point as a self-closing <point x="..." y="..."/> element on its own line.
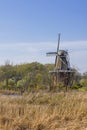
<point x="44" y="111"/>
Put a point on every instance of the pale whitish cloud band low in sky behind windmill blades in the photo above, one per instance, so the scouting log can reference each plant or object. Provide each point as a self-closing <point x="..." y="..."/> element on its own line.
<point x="29" y="52"/>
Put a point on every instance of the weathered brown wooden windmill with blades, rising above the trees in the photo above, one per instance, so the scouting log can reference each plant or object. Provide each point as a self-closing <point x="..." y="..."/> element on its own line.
<point x="62" y="71"/>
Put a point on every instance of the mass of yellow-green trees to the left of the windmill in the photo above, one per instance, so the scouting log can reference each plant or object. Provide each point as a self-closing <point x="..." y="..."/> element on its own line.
<point x="25" y="75"/>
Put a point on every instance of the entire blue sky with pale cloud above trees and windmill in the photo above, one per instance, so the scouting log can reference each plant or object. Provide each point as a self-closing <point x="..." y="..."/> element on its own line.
<point x="29" y="29"/>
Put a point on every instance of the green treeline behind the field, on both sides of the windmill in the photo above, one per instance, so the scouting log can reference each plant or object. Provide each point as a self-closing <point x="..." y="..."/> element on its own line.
<point x="32" y="76"/>
